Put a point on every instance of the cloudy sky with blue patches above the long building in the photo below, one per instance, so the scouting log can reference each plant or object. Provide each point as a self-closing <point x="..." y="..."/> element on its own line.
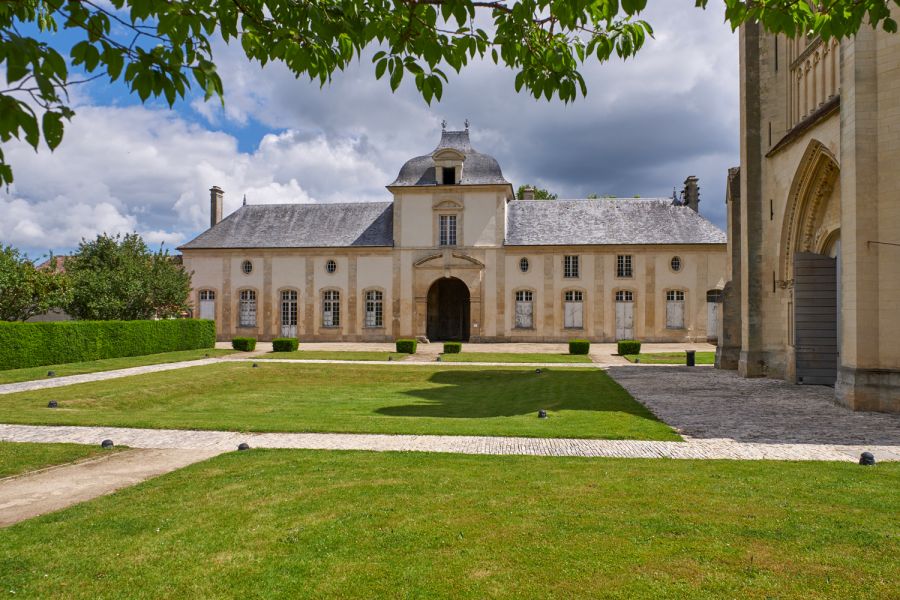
<point x="645" y="125"/>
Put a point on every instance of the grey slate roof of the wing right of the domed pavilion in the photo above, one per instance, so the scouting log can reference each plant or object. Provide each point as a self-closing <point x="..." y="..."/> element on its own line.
<point x="606" y="221"/>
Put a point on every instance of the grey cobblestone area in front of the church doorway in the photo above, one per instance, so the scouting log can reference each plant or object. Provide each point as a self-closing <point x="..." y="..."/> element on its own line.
<point x="711" y="404"/>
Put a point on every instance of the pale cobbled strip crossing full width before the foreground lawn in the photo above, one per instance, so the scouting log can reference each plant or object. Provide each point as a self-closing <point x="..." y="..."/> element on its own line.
<point x="221" y="441"/>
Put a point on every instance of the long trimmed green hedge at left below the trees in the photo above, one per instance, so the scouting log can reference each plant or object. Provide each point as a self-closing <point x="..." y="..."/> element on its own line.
<point x="52" y="343"/>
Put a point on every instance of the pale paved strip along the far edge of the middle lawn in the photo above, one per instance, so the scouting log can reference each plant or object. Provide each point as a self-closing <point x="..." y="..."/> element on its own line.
<point x="40" y="384"/>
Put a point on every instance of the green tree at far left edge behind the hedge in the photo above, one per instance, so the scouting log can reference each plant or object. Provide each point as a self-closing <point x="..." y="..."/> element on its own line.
<point x="25" y="290"/>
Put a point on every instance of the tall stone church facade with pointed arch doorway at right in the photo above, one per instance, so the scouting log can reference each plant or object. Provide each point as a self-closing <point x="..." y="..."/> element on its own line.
<point x="814" y="216"/>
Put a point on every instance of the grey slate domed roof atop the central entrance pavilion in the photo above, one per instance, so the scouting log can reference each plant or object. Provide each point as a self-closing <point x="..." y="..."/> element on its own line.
<point x="478" y="168"/>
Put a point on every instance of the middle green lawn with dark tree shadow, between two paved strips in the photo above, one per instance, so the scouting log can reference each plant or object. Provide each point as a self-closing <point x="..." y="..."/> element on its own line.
<point x="459" y="400"/>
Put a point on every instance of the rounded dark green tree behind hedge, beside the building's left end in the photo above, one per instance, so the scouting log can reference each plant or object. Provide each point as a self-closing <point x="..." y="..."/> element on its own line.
<point x="119" y="278"/>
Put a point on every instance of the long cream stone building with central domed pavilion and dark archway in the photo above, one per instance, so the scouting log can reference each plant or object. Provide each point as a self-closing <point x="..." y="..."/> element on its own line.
<point x="454" y="256"/>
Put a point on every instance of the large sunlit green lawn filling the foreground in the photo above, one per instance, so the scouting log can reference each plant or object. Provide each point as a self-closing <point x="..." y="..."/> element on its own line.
<point x="307" y="524"/>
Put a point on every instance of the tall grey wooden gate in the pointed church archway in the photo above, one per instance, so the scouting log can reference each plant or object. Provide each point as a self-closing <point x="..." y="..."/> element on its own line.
<point x="815" y="318"/>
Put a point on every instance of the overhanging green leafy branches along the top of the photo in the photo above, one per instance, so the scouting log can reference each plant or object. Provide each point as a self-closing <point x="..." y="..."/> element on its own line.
<point x="161" y="48"/>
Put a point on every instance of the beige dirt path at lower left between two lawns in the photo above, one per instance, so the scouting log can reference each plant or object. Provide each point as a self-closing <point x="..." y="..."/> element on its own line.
<point x="52" y="489"/>
